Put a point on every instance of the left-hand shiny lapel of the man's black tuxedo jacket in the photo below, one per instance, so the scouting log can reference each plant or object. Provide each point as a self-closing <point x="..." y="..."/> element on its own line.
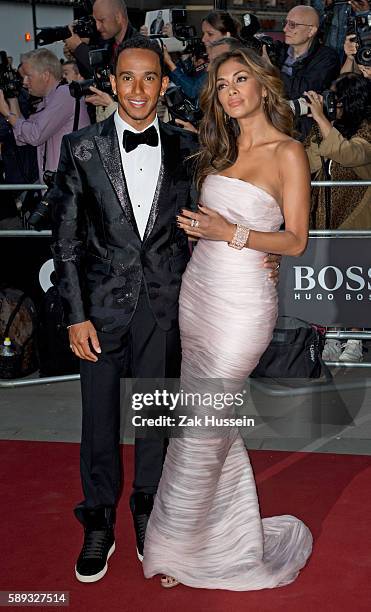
<point x="109" y="152"/>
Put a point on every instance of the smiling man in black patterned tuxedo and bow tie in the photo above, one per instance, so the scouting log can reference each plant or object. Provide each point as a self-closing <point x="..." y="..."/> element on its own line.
<point x="119" y="257"/>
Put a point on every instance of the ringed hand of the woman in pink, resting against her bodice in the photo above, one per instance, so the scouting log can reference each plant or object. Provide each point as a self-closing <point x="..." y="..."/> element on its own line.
<point x="206" y="224"/>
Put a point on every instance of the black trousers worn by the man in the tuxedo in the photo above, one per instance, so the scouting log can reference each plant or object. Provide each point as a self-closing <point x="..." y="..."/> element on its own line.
<point x="143" y="350"/>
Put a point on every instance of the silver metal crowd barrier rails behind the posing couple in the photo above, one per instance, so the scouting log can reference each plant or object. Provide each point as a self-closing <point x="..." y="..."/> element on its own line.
<point x="313" y="233"/>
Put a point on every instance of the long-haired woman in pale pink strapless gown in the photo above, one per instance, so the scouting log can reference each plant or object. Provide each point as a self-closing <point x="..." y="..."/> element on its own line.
<point x="205" y="529"/>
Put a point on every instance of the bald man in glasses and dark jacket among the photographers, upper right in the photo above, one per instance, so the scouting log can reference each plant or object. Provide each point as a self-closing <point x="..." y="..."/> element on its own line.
<point x="307" y="65"/>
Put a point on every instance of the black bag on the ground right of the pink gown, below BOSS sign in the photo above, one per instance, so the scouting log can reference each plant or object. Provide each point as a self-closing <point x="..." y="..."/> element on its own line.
<point x="294" y="352"/>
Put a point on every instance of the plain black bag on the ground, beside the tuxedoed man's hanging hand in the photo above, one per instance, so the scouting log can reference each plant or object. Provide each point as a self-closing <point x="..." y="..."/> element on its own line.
<point x="56" y="357"/>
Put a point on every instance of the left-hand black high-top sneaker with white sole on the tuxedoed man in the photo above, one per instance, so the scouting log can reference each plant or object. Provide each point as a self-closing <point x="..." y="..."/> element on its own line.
<point x="99" y="544"/>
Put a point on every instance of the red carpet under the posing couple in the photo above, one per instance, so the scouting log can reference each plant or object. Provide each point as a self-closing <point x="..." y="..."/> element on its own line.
<point x="40" y="537"/>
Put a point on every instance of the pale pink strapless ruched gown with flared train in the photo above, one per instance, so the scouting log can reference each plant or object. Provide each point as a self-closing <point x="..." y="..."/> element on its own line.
<point x="205" y="528"/>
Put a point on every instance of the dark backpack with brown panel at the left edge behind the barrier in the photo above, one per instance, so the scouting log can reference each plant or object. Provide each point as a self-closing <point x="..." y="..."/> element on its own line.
<point x="18" y="321"/>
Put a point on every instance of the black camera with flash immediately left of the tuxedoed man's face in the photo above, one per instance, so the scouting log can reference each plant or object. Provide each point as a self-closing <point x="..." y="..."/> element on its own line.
<point x="100" y="63"/>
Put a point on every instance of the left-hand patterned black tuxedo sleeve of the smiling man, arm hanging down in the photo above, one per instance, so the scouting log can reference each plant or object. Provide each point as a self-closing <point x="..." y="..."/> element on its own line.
<point x="68" y="230"/>
